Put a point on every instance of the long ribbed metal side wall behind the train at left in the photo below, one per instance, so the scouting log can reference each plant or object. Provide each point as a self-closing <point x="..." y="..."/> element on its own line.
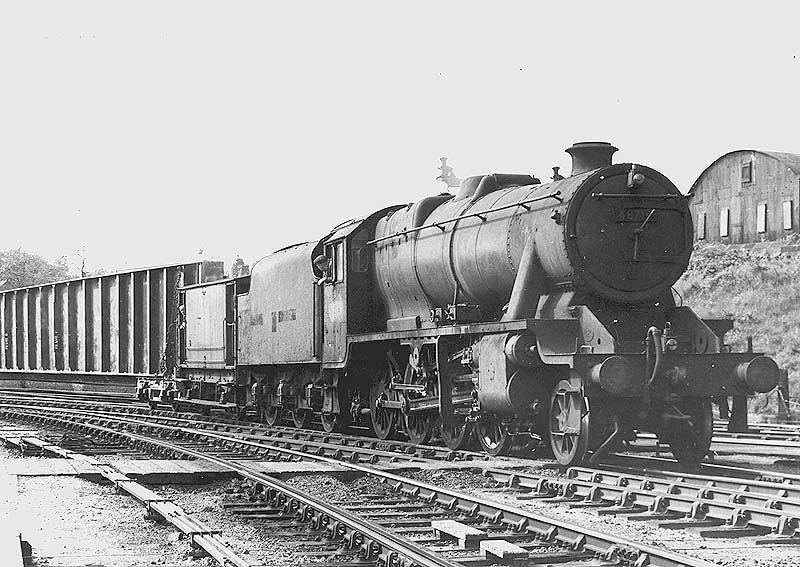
<point x="115" y="323"/>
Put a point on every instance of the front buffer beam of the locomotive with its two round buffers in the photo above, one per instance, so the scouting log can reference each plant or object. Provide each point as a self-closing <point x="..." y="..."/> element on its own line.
<point x="692" y="375"/>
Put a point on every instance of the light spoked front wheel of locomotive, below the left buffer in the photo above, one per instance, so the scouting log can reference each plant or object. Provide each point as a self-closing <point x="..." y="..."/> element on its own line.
<point x="569" y="424"/>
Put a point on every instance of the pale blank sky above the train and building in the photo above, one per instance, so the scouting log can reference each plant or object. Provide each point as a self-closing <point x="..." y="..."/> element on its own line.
<point x="139" y="133"/>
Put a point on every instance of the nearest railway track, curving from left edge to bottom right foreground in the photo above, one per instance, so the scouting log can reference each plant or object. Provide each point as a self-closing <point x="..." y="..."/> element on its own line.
<point x="449" y="527"/>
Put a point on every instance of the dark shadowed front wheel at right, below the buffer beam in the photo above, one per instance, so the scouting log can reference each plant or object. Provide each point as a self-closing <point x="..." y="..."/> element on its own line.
<point x="689" y="441"/>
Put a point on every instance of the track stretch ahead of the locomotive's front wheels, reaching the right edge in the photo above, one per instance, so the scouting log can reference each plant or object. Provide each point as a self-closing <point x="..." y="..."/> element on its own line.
<point x="721" y="507"/>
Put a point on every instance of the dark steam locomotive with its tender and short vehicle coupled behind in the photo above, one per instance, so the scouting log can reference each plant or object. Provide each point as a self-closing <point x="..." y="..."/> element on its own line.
<point x="513" y="310"/>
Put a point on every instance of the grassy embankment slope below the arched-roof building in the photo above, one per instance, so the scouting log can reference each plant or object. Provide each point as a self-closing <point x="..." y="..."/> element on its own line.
<point x="760" y="290"/>
